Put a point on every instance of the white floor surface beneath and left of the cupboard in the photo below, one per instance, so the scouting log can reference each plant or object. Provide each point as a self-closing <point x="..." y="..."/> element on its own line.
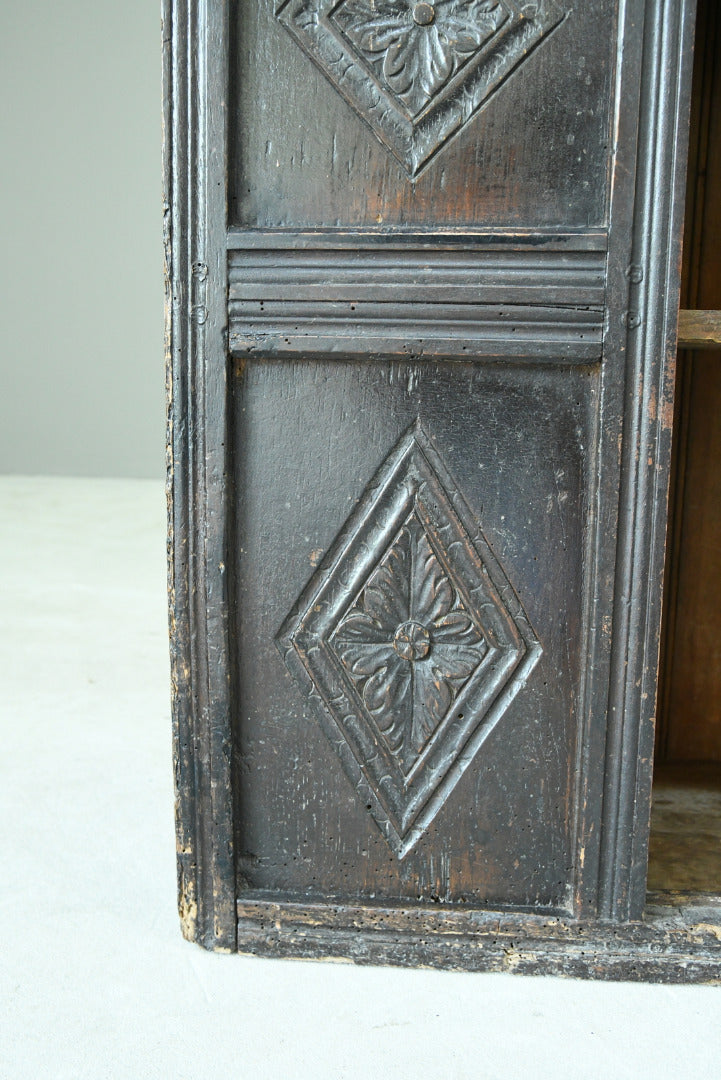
<point x="96" y="979"/>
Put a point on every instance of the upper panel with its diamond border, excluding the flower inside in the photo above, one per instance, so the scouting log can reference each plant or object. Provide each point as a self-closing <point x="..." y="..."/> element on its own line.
<point x="518" y="139"/>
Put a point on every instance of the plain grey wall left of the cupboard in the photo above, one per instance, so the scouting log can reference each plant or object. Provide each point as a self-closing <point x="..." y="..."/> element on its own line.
<point x="81" y="326"/>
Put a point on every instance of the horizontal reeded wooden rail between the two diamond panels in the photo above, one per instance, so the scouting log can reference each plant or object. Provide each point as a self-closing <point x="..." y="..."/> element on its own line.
<point x="433" y="302"/>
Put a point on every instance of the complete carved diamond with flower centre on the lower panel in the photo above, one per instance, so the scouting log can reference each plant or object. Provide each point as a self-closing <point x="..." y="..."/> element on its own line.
<point x="412" y="641"/>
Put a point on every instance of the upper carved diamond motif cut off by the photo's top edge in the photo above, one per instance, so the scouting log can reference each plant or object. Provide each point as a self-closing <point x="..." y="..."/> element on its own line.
<point x="418" y="73"/>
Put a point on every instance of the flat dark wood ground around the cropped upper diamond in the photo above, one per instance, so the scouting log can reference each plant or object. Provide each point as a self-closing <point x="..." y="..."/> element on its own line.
<point x="536" y="154"/>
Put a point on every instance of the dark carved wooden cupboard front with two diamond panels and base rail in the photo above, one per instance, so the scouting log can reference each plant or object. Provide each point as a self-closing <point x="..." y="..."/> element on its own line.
<point x="423" y="289"/>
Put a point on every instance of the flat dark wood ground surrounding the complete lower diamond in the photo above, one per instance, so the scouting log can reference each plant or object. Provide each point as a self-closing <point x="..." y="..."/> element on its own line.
<point x="302" y="825"/>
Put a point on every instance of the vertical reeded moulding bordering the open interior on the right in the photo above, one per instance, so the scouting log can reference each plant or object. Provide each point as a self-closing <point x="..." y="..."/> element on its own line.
<point x="650" y="346"/>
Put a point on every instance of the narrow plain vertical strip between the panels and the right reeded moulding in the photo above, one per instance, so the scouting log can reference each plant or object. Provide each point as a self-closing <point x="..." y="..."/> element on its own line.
<point x="597" y="728"/>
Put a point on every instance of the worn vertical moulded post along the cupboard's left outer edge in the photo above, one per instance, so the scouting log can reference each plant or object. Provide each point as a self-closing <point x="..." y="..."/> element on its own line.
<point x="196" y="479"/>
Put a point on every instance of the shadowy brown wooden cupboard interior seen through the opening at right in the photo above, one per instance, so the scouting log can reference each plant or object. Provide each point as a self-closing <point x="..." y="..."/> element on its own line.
<point x="690" y="714"/>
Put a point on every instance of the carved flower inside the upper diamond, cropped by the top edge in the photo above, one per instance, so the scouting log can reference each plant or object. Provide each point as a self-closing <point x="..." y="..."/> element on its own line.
<point x="417" y="48"/>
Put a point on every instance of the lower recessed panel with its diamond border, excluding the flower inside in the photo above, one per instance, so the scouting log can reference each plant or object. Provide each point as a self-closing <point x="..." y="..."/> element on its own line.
<point x="327" y="444"/>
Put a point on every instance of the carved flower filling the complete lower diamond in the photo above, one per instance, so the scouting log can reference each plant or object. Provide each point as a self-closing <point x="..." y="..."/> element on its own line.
<point x="409" y="644"/>
